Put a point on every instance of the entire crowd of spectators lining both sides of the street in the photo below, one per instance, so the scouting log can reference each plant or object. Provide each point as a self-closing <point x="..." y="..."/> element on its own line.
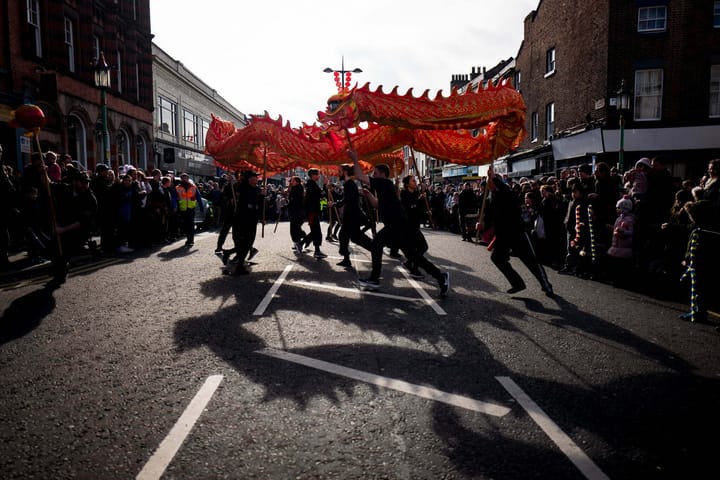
<point x="592" y="223"/>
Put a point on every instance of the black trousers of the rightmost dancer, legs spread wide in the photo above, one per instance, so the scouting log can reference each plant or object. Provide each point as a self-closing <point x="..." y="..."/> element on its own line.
<point x="522" y="248"/>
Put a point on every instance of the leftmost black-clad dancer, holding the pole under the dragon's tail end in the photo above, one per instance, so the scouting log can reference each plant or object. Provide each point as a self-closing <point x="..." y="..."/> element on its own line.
<point x="247" y="213"/>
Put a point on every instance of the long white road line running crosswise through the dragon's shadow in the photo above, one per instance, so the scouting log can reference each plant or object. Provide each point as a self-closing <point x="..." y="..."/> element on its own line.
<point x="391" y="383"/>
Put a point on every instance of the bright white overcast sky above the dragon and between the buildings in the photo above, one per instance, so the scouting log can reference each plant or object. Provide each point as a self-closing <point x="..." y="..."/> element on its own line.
<point x="270" y="55"/>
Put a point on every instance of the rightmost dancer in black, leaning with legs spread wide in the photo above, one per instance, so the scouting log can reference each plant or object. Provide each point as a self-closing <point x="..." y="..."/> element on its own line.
<point x="510" y="235"/>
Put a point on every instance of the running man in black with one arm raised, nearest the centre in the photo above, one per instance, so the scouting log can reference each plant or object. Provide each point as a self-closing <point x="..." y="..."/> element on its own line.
<point x="395" y="226"/>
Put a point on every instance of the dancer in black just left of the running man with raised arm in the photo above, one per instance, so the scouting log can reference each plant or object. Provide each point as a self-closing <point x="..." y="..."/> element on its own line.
<point x="353" y="217"/>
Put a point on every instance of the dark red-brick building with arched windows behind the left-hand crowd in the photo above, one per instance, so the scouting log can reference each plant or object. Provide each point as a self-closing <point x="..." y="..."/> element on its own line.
<point x="48" y="56"/>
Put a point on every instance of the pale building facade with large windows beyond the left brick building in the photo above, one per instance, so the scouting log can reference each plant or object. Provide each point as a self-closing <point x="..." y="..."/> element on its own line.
<point x="183" y="108"/>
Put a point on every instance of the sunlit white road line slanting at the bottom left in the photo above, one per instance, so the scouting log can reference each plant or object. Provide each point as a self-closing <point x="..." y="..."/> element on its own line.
<point x="155" y="467"/>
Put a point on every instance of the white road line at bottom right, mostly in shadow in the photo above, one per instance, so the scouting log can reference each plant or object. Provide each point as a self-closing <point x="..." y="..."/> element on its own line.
<point x="565" y="443"/>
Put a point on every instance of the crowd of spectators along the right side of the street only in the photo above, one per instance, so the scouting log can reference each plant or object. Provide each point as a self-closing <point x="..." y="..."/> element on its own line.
<point x="632" y="230"/>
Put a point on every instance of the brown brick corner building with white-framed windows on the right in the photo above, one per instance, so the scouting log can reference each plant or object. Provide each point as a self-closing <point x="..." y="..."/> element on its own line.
<point x="573" y="60"/>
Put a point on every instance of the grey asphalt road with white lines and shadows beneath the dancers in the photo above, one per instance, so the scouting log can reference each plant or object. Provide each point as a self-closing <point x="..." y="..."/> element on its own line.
<point x="159" y="366"/>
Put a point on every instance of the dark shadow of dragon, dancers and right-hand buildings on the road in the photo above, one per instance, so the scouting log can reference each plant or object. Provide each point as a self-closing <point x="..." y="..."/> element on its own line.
<point x="640" y="426"/>
